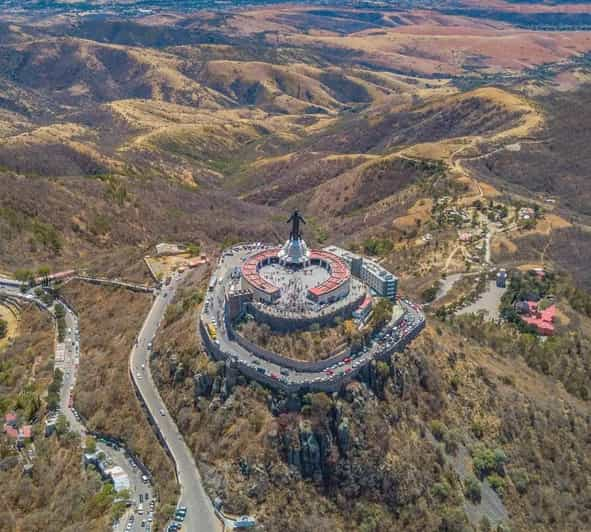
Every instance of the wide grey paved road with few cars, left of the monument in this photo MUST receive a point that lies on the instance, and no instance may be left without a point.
(200, 515)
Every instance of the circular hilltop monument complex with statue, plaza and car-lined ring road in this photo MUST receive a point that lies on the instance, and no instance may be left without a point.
(293, 287)
